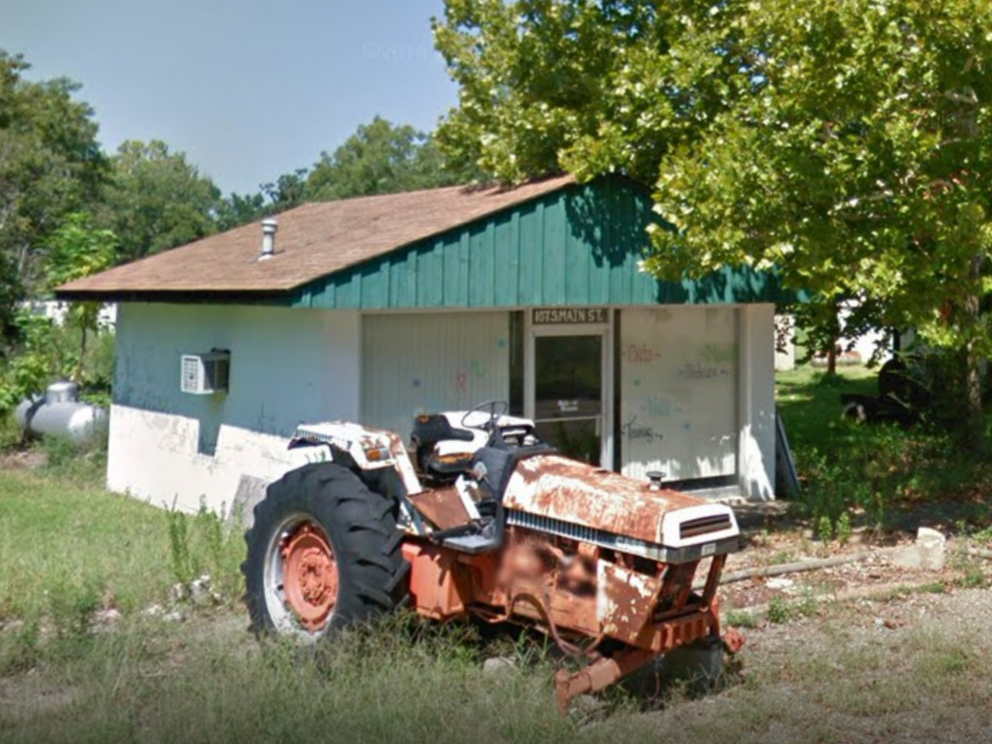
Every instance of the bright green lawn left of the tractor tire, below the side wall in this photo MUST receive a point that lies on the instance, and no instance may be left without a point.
(69, 549)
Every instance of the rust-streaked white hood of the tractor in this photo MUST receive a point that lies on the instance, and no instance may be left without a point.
(562, 494)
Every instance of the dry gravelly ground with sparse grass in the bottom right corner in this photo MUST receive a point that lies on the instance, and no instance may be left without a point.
(912, 669)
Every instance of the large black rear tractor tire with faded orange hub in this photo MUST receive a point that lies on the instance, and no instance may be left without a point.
(324, 553)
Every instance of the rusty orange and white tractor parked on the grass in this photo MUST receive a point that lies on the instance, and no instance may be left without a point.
(480, 518)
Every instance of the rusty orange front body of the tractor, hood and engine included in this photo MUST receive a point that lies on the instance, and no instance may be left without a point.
(587, 554)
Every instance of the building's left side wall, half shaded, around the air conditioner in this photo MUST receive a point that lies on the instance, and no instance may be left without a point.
(287, 366)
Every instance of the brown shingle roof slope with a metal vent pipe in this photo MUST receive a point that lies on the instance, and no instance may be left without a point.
(314, 240)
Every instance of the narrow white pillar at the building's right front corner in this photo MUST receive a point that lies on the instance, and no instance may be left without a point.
(756, 449)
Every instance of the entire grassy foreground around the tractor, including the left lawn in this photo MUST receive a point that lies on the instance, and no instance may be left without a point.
(67, 549)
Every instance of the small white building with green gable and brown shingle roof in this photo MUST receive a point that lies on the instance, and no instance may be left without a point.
(374, 309)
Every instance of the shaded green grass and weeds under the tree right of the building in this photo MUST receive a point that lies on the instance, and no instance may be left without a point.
(877, 476)
